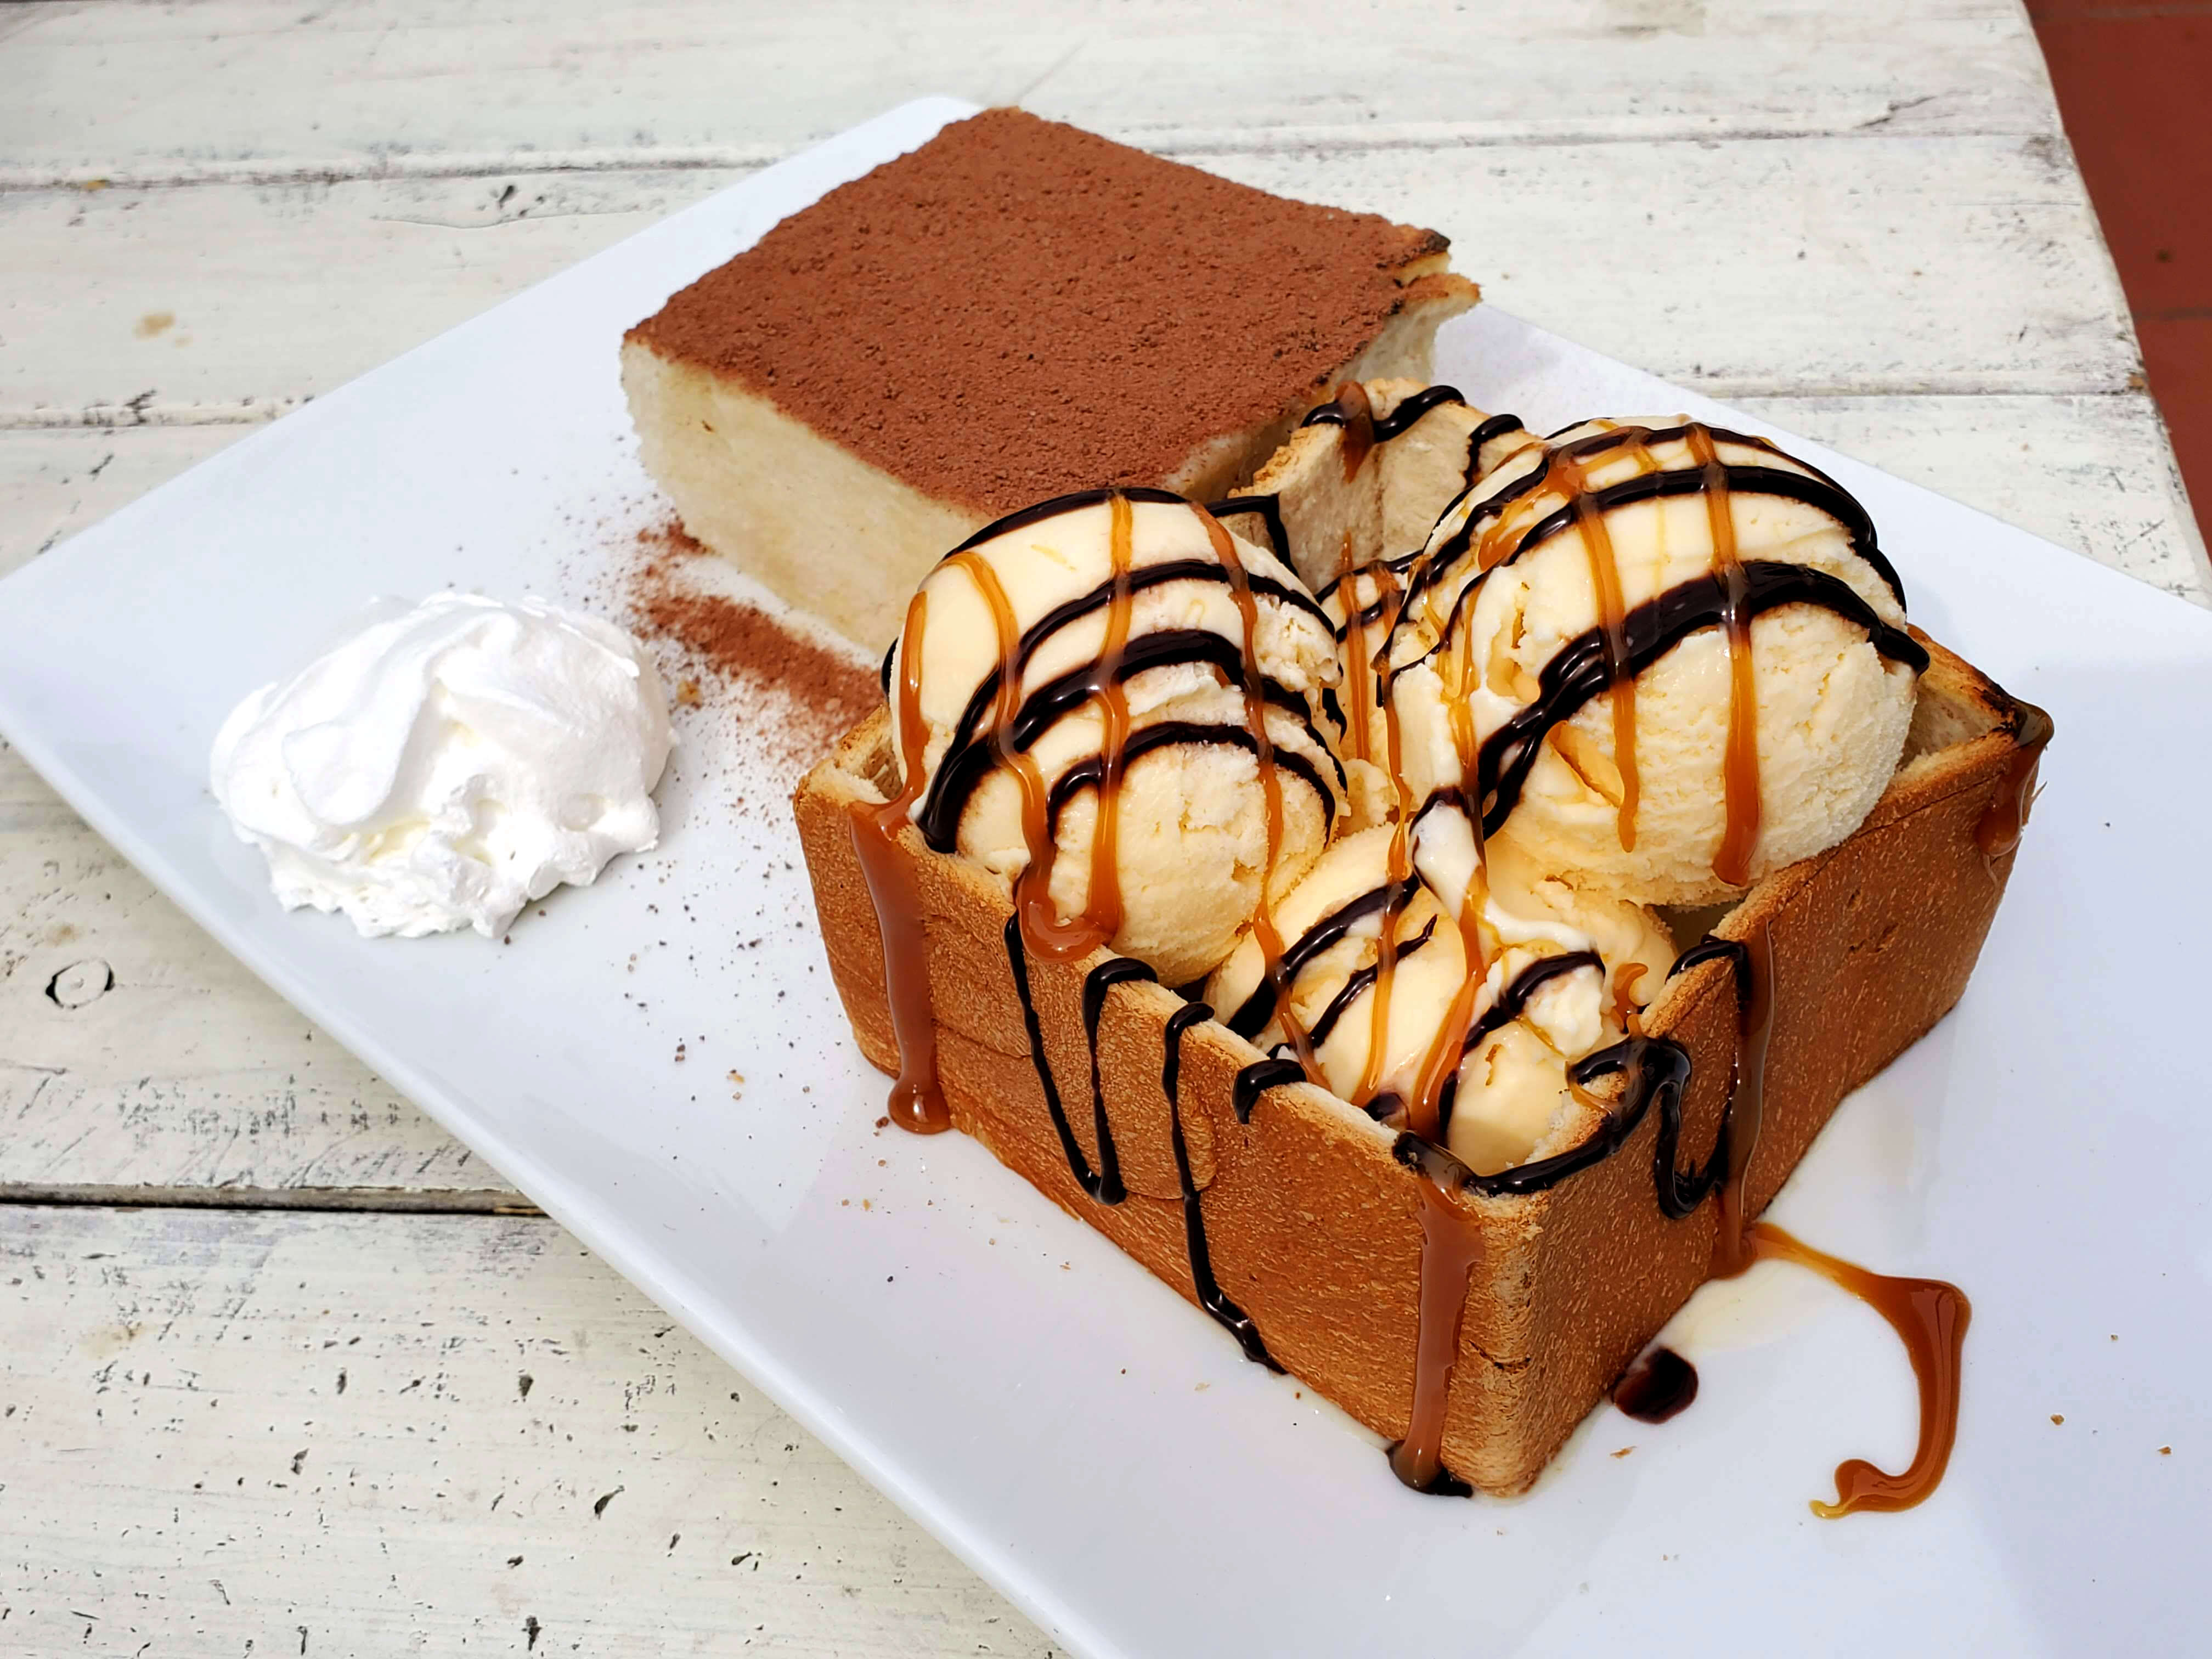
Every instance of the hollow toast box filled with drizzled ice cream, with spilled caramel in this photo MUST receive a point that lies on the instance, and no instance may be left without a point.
(1443, 1010)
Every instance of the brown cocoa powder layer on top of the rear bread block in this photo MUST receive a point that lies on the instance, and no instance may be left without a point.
(1021, 309)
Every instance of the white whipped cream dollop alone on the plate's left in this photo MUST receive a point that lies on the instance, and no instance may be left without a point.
(448, 766)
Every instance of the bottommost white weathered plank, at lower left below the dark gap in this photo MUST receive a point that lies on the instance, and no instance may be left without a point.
(236, 1432)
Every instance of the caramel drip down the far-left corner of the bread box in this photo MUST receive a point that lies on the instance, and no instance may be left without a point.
(917, 1098)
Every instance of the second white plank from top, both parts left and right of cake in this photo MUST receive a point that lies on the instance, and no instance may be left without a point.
(1746, 269)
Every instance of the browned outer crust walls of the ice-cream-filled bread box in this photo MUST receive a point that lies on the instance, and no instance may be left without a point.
(1315, 1227)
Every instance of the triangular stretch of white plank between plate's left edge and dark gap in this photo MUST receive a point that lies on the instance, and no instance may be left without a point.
(138, 1054)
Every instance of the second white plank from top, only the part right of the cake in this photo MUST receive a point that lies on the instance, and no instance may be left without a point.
(1773, 269)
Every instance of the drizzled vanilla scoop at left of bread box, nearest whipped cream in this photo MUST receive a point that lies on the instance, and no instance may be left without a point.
(1125, 720)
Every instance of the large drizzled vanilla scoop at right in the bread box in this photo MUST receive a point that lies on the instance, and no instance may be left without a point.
(1667, 660)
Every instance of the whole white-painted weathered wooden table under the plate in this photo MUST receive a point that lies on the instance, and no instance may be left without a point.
(284, 1368)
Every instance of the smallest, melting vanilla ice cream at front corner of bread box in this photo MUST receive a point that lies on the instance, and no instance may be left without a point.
(1558, 979)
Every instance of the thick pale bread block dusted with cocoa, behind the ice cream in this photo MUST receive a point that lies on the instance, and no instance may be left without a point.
(1012, 311)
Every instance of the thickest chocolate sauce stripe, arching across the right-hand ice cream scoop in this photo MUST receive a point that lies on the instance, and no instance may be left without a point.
(1578, 671)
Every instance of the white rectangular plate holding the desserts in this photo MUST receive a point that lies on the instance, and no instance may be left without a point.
(1081, 1434)
